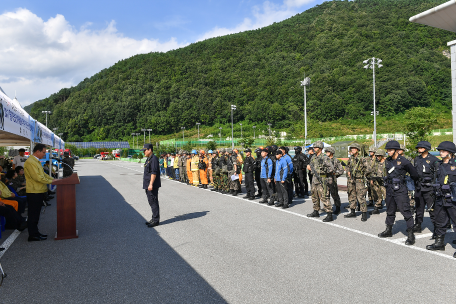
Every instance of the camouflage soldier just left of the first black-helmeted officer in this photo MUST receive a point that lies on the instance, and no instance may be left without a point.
(376, 175)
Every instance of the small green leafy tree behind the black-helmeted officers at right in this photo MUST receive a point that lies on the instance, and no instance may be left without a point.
(418, 125)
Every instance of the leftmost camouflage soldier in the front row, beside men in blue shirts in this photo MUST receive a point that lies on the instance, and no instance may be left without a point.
(321, 166)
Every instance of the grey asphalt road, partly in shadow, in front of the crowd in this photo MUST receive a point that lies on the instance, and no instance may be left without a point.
(214, 248)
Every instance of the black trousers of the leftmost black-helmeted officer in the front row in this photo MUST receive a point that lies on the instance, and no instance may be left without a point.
(398, 200)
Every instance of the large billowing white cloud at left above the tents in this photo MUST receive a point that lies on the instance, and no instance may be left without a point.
(40, 57)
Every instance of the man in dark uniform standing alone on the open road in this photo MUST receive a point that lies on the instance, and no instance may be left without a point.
(151, 183)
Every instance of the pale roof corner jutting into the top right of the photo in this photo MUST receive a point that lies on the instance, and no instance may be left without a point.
(442, 16)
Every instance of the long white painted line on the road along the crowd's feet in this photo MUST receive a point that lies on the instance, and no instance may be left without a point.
(396, 241)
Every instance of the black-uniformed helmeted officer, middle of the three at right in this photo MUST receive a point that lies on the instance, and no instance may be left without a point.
(425, 165)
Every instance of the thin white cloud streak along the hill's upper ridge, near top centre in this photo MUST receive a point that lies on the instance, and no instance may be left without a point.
(263, 15)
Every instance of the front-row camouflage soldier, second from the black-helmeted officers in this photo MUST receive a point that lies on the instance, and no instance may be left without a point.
(357, 168)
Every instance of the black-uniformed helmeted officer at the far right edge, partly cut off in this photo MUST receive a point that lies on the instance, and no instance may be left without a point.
(445, 192)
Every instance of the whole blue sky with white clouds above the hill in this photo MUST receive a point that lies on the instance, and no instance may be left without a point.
(48, 45)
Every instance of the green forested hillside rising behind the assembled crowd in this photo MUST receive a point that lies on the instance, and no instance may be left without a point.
(260, 71)
